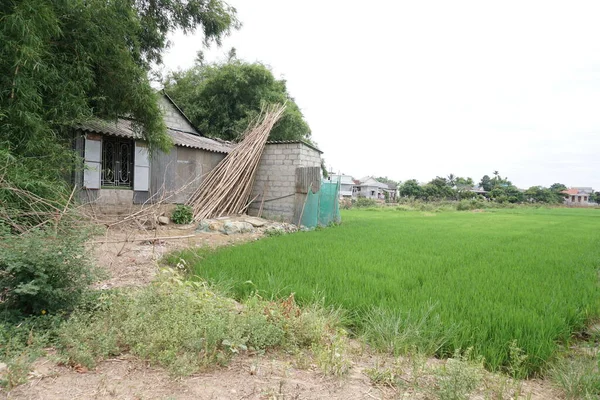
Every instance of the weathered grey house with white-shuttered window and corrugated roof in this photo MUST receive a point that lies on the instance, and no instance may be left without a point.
(120, 171)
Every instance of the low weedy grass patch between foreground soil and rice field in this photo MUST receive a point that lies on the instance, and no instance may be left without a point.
(187, 326)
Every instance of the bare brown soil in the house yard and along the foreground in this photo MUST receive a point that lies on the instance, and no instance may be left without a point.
(131, 259)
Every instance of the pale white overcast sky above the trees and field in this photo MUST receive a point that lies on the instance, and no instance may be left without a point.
(417, 89)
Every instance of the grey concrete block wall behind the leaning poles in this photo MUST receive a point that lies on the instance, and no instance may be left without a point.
(275, 181)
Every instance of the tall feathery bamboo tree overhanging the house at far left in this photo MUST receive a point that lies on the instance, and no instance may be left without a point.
(63, 62)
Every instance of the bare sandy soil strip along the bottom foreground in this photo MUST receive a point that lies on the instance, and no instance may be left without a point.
(274, 376)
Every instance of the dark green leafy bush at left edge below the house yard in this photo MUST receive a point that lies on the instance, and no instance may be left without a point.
(42, 272)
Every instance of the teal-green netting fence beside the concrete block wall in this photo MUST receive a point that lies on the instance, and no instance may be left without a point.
(323, 207)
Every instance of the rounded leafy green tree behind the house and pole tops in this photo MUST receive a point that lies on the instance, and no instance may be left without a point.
(223, 98)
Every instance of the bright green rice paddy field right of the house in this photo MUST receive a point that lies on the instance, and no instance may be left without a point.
(513, 284)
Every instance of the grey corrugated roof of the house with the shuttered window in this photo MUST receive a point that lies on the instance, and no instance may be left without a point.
(124, 128)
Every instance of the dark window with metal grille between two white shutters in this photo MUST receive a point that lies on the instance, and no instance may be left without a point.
(117, 162)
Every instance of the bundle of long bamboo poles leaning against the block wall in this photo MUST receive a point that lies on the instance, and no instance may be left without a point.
(227, 188)
